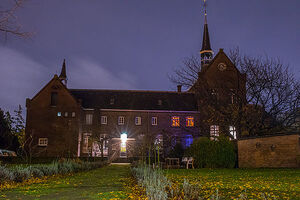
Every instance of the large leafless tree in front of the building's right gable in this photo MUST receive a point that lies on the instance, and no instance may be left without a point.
(272, 94)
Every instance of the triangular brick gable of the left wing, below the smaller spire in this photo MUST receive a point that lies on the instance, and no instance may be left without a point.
(43, 98)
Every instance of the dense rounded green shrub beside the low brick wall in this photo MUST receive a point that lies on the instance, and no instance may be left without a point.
(213, 153)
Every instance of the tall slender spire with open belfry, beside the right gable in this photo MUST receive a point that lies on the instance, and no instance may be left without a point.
(206, 52)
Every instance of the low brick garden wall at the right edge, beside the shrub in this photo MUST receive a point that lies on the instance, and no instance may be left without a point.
(269, 151)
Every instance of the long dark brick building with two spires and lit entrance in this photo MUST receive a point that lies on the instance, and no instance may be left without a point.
(119, 123)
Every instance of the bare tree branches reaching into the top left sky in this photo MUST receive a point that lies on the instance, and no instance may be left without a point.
(8, 20)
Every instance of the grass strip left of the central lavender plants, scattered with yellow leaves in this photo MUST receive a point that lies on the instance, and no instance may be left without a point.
(103, 183)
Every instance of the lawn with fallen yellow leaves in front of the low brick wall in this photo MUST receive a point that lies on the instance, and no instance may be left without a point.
(230, 183)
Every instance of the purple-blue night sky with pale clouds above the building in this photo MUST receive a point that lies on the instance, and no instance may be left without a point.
(135, 44)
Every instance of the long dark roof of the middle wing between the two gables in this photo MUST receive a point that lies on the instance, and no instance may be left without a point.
(135, 99)
